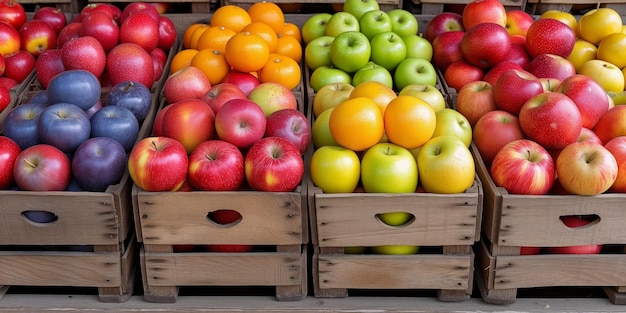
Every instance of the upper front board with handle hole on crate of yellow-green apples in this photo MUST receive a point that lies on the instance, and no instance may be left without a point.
(350, 219)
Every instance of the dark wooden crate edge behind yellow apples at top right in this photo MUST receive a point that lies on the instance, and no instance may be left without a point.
(576, 7)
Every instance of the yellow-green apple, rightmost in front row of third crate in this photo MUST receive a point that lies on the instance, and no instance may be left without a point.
(445, 165)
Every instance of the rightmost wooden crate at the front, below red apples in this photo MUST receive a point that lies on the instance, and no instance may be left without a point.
(511, 221)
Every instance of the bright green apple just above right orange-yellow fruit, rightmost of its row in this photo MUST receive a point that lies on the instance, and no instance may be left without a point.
(414, 71)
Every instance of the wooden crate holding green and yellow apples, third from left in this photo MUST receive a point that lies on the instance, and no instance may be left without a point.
(446, 224)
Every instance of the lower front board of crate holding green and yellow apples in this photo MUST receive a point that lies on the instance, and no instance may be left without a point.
(451, 272)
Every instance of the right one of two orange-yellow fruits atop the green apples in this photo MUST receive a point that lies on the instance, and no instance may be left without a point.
(409, 121)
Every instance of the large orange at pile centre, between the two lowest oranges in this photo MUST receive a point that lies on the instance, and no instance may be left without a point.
(247, 52)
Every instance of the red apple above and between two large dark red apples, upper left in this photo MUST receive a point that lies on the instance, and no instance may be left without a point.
(103, 27)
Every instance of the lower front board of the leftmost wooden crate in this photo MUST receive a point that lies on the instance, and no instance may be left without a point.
(77, 269)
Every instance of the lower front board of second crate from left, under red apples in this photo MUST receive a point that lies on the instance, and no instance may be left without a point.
(228, 269)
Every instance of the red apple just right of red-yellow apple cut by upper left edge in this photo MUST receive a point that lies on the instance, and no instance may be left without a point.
(37, 36)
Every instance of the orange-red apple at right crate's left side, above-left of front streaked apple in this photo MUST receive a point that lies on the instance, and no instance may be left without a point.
(494, 130)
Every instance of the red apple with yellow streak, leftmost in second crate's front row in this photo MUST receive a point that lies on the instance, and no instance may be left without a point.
(158, 164)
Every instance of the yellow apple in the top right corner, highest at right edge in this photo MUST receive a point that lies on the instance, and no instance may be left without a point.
(596, 24)
